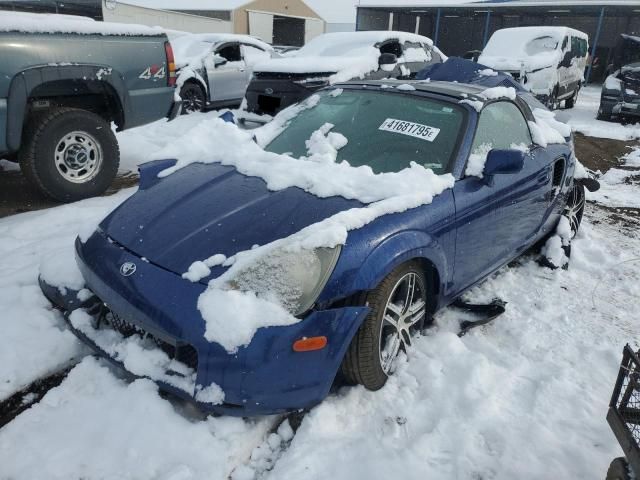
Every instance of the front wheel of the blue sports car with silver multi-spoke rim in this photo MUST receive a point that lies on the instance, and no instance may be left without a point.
(398, 309)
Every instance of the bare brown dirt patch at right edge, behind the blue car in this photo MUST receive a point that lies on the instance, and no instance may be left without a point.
(602, 153)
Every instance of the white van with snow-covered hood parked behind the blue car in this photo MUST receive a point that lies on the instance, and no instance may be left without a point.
(548, 61)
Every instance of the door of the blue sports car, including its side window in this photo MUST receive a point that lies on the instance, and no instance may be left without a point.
(498, 217)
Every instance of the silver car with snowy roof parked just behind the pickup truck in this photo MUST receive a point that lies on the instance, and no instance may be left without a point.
(214, 69)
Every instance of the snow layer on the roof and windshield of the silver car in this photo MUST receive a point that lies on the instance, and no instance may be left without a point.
(191, 46)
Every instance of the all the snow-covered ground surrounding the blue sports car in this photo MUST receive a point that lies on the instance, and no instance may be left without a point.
(524, 397)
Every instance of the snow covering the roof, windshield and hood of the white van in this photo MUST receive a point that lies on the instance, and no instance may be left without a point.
(535, 47)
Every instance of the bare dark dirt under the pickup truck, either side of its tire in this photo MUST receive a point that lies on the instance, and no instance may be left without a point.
(18, 196)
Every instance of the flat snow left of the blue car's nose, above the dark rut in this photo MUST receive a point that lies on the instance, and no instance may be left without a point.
(36, 340)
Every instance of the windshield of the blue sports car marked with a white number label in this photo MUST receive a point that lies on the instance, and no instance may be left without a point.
(385, 131)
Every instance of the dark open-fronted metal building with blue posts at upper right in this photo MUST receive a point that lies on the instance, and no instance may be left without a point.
(463, 27)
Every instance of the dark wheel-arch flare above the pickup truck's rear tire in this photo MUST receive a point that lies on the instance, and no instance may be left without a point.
(24, 82)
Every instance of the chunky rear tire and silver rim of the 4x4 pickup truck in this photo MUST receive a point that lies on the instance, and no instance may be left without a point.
(69, 154)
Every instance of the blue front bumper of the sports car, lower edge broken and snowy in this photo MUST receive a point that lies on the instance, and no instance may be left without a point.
(265, 377)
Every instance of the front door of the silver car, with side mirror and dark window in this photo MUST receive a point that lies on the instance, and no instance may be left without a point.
(227, 81)
